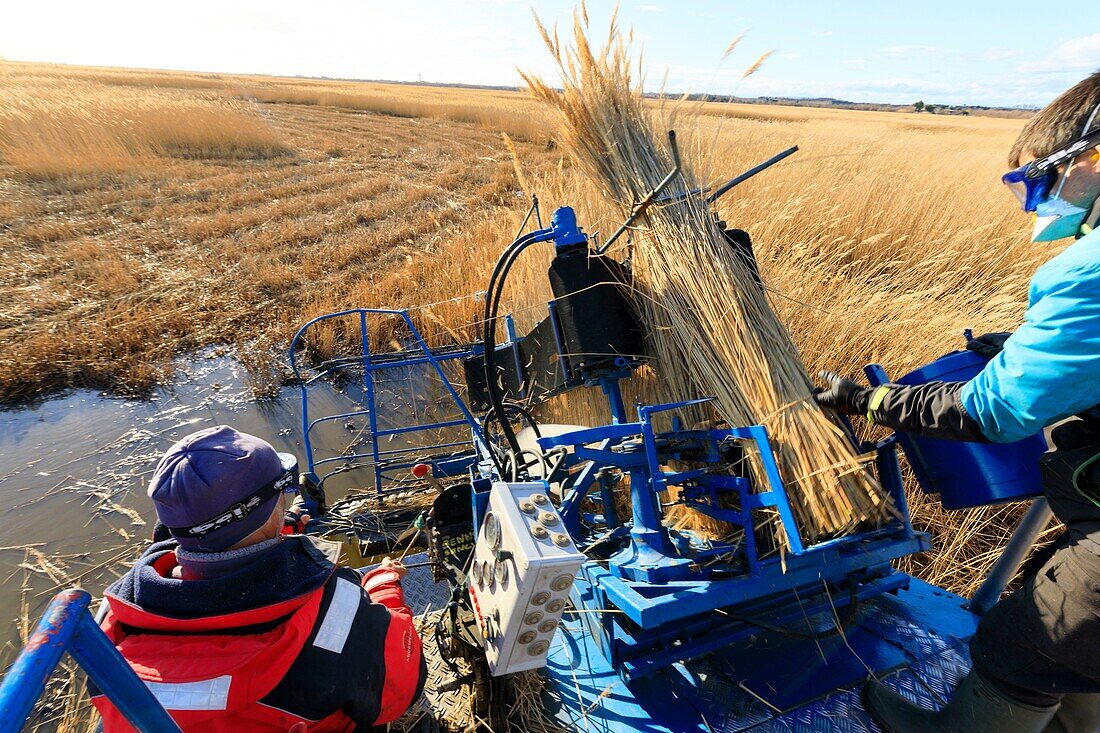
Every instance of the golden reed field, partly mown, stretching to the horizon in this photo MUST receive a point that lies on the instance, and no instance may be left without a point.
(146, 214)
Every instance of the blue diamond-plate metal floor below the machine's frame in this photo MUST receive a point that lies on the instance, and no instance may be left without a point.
(917, 641)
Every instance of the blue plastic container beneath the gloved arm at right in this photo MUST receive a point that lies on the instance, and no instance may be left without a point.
(967, 475)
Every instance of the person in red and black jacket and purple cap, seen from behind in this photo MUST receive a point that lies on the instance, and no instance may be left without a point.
(236, 626)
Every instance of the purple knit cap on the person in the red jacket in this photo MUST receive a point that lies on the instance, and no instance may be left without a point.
(206, 475)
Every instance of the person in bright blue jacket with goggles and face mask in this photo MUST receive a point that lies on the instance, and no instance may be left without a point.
(1037, 654)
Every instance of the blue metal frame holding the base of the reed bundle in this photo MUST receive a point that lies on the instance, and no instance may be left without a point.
(668, 592)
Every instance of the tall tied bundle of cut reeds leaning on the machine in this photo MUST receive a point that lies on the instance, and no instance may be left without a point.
(711, 329)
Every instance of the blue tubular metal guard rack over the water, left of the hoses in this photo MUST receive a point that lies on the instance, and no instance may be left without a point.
(382, 462)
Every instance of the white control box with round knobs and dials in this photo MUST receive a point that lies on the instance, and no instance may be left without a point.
(522, 574)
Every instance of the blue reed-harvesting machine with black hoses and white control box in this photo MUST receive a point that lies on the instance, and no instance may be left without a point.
(557, 549)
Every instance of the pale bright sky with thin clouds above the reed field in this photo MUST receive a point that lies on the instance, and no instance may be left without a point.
(976, 52)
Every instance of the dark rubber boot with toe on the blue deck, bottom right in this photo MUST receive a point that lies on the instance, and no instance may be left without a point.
(976, 708)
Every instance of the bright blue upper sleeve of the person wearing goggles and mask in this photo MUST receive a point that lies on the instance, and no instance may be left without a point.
(1050, 368)
